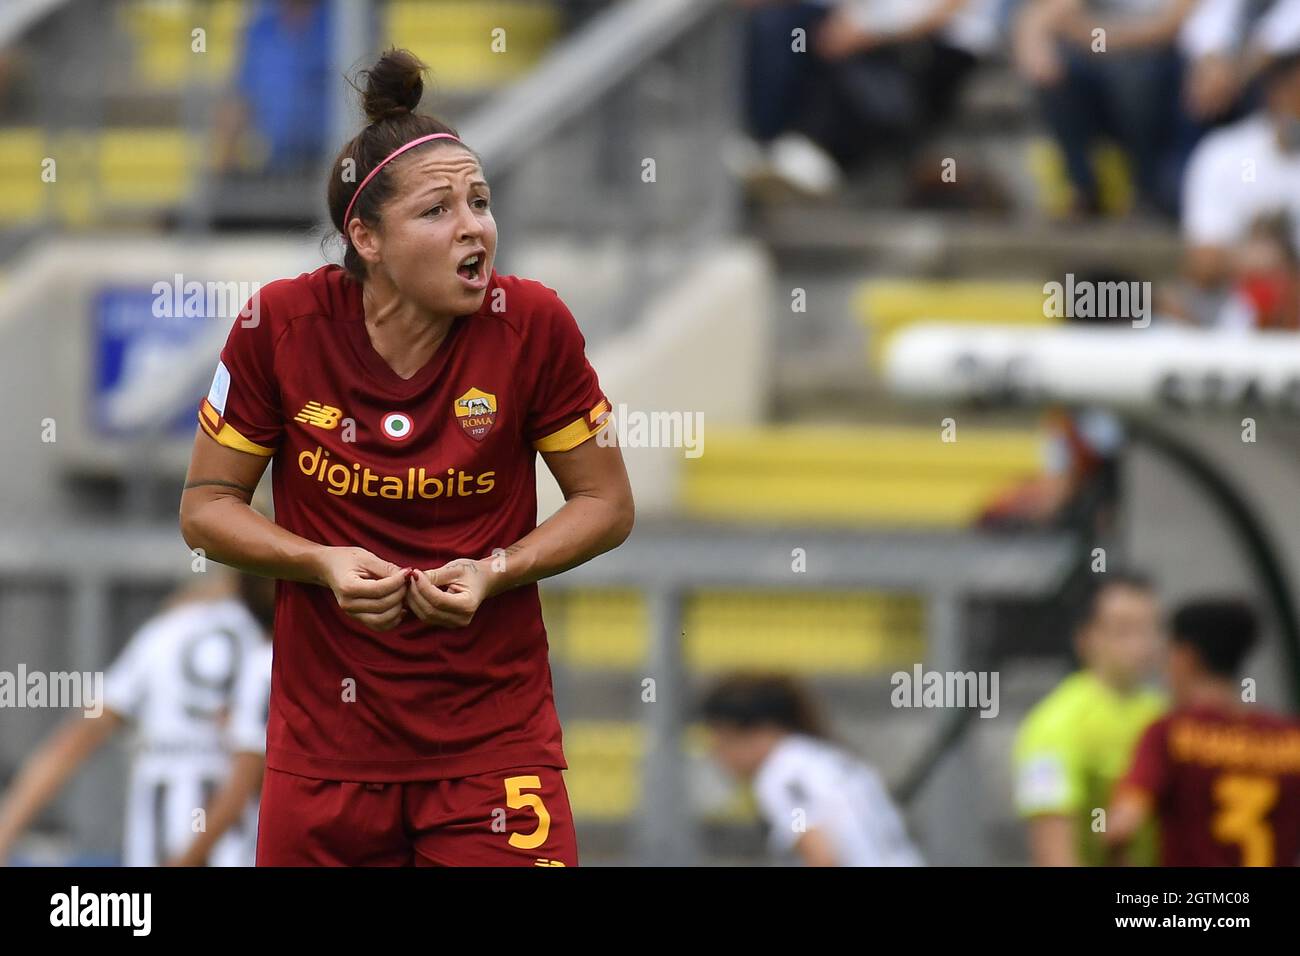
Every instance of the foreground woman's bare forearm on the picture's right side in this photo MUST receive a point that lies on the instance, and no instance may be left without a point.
(586, 527)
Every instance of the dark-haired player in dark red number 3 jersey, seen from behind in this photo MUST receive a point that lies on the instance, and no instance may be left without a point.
(1221, 776)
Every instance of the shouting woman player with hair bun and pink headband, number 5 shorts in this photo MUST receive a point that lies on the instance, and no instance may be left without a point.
(404, 399)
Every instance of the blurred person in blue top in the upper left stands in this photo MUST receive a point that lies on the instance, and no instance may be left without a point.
(281, 90)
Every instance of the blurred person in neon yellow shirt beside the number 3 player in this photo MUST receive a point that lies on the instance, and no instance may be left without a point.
(1077, 742)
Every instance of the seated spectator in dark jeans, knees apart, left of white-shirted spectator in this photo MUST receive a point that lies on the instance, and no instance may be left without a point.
(1108, 68)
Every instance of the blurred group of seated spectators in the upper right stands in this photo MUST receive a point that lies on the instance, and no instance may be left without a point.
(1202, 98)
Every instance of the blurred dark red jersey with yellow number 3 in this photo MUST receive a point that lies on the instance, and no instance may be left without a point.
(1225, 788)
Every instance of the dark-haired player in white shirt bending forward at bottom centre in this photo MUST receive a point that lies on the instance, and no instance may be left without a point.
(822, 804)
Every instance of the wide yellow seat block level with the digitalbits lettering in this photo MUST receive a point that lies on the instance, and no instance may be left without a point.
(881, 477)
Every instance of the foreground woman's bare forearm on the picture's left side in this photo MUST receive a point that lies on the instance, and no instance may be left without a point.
(232, 533)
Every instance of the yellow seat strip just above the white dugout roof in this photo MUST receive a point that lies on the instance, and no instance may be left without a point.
(890, 306)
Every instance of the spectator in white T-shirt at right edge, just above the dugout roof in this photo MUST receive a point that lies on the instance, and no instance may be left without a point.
(1238, 175)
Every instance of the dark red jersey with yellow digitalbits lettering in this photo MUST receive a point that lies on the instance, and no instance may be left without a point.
(421, 473)
